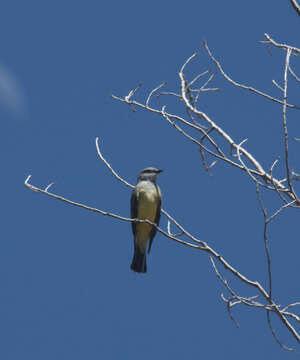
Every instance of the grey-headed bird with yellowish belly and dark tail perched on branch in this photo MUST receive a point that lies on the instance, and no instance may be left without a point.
(145, 204)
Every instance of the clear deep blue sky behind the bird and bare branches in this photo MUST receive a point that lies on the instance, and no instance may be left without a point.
(66, 289)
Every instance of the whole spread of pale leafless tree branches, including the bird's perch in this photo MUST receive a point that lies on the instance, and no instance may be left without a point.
(206, 137)
